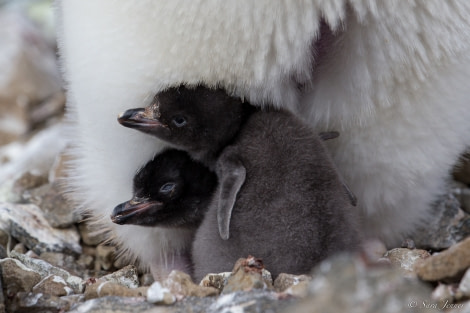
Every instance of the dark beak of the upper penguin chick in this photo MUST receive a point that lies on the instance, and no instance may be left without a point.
(143, 120)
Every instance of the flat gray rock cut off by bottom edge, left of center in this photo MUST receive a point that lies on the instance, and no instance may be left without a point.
(113, 304)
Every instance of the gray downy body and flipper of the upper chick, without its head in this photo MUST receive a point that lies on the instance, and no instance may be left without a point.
(289, 208)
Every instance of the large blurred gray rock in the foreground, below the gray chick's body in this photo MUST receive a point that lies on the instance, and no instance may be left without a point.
(346, 284)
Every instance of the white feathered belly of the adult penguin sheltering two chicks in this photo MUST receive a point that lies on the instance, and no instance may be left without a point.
(392, 79)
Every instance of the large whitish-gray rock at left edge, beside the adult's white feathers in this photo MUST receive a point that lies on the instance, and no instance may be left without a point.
(27, 224)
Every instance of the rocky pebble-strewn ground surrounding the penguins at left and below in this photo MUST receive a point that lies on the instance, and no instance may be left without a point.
(50, 262)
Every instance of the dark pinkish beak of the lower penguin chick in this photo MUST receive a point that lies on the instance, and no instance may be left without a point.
(136, 212)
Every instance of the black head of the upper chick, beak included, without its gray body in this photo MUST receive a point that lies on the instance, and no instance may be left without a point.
(198, 120)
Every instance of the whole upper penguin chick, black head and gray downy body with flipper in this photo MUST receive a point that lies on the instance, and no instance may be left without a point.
(279, 196)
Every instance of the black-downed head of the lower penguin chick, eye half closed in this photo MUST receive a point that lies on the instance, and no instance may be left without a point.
(171, 190)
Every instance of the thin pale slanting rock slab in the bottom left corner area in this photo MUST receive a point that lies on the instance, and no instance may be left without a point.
(45, 269)
